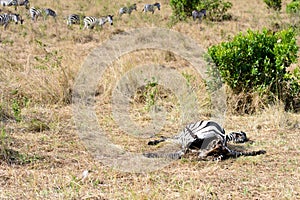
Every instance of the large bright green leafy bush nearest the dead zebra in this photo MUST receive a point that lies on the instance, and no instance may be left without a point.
(258, 62)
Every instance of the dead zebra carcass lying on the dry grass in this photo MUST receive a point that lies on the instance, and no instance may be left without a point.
(207, 138)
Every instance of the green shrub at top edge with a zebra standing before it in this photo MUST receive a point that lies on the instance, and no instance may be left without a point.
(216, 9)
